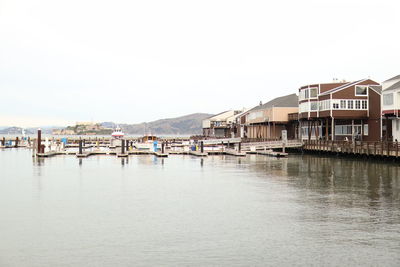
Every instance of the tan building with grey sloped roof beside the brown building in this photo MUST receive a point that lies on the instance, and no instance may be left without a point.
(266, 121)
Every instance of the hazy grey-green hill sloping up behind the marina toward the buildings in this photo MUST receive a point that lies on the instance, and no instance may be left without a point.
(189, 124)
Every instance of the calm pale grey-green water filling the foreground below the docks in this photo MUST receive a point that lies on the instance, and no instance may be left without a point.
(185, 211)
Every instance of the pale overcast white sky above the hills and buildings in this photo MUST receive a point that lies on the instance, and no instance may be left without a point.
(135, 61)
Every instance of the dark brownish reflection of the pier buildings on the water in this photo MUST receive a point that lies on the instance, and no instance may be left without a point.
(332, 175)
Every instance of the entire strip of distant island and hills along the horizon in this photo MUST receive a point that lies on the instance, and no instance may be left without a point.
(184, 125)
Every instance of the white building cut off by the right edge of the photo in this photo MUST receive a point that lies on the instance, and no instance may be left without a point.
(391, 108)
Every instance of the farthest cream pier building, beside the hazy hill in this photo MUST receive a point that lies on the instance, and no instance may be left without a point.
(220, 125)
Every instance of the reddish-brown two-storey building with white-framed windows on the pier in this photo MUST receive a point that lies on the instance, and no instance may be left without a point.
(340, 111)
